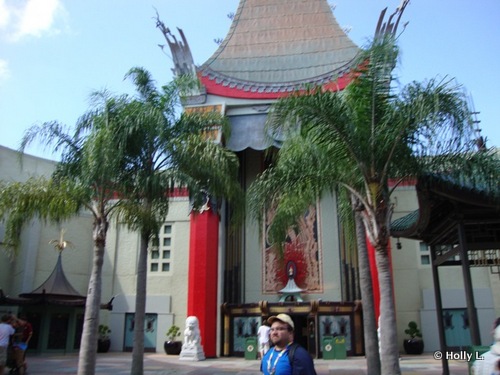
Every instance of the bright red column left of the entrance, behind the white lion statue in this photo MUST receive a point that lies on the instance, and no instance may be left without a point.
(202, 279)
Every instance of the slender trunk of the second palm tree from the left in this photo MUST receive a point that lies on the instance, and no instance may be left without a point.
(140, 308)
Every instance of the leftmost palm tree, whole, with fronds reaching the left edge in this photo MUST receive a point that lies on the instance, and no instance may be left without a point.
(87, 177)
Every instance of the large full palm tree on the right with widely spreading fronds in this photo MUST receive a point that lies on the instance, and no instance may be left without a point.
(360, 138)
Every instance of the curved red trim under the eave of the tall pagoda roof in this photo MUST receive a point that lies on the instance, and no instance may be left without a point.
(214, 88)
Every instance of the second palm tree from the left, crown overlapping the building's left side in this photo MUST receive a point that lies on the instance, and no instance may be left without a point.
(166, 151)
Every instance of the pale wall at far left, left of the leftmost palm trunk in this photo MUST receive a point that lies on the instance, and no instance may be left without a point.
(36, 258)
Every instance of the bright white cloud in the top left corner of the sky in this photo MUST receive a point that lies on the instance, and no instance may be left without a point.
(30, 18)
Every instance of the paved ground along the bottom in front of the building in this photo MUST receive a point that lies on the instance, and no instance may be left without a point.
(161, 364)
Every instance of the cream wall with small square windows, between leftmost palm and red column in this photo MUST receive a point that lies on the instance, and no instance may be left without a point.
(166, 291)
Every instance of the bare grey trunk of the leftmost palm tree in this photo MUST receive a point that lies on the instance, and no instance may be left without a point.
(88, 345)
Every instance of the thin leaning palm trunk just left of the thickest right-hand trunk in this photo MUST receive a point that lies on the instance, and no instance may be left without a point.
(366, 288)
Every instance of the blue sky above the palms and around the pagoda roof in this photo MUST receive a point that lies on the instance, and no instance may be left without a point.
(54, 53)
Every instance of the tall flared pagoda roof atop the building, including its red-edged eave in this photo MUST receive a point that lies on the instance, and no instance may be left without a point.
(275, 46)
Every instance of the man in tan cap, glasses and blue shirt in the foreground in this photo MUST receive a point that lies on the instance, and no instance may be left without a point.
(277, 361)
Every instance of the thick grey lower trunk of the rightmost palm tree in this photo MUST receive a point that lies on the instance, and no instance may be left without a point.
(388, 331)
